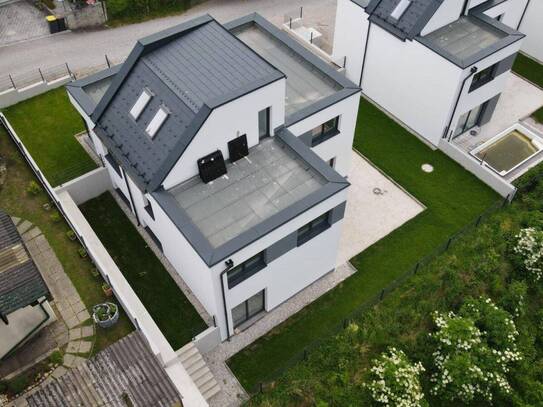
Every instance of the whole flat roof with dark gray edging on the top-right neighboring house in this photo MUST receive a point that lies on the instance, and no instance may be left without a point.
(470, 39)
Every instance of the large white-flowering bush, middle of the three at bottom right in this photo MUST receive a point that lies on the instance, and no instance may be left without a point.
(474, 351)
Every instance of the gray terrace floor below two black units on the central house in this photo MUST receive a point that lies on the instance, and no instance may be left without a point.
(256, 187)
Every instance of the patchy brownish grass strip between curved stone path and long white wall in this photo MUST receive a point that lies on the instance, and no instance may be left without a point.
(17, 202)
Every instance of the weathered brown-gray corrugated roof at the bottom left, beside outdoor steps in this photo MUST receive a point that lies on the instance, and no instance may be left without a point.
(126, 369)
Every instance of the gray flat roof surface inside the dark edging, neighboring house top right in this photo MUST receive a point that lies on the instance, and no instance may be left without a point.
(466, 37)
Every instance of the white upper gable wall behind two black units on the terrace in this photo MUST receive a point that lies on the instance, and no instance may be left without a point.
(228, 122)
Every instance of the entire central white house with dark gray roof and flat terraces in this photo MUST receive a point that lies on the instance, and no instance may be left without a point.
(231, 146)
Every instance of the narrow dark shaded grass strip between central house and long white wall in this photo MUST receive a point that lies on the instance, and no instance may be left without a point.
(172, 312)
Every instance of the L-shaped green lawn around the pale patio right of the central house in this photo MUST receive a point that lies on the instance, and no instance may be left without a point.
(453, 197)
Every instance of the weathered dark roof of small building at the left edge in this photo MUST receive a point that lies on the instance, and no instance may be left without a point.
(21, 283)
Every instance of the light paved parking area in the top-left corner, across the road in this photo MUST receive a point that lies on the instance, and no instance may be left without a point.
(20, 21)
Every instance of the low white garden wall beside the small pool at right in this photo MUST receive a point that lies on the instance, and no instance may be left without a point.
(494, 181)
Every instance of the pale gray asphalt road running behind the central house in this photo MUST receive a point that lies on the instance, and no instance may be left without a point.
(85, 50)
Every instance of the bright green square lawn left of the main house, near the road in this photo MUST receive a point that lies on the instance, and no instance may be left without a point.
(47, 124)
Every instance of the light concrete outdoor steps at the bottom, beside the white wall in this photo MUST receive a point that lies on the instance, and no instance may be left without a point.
(195, 365)
